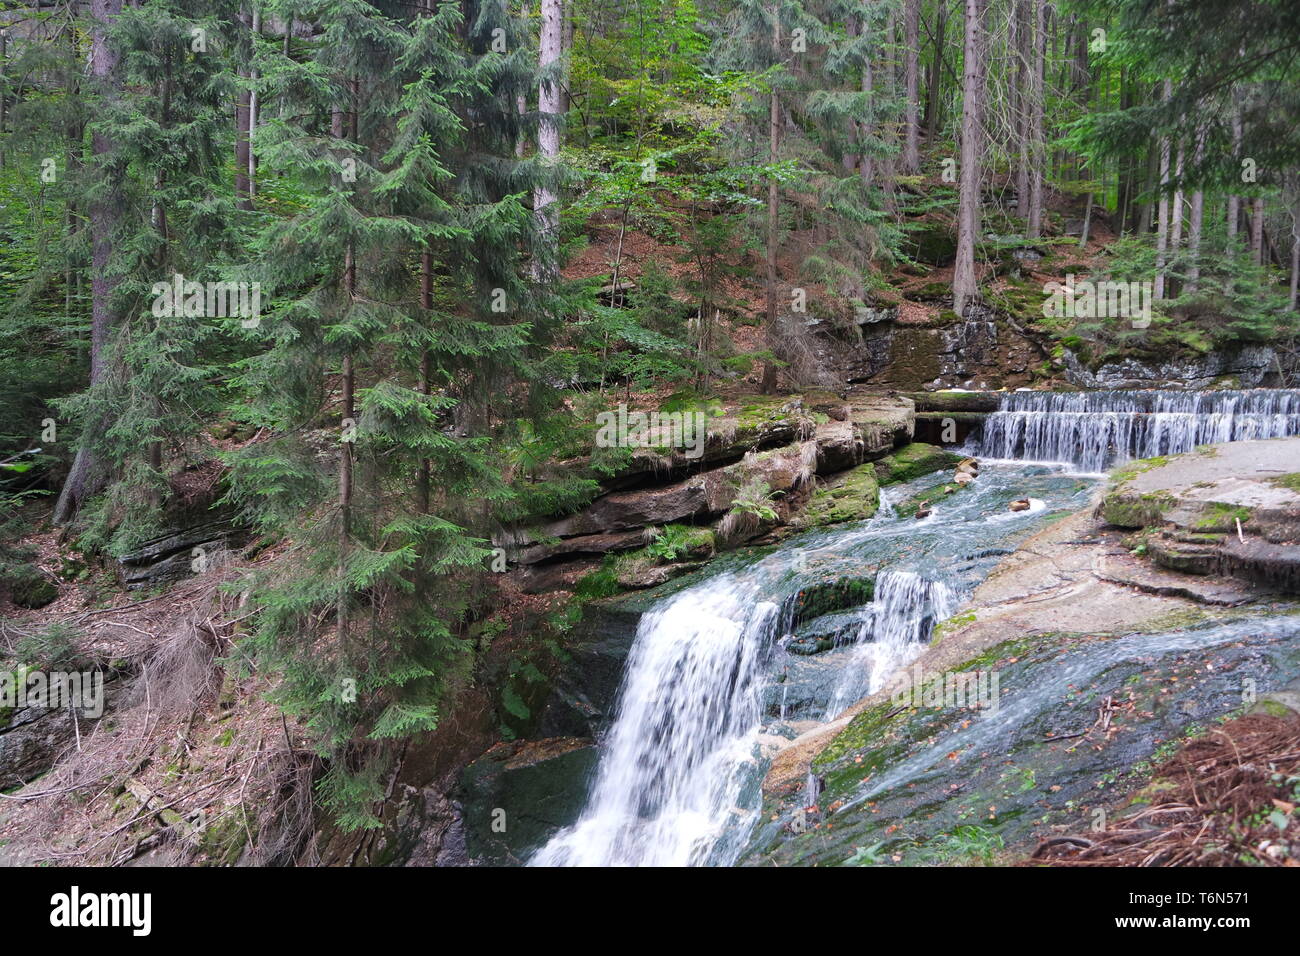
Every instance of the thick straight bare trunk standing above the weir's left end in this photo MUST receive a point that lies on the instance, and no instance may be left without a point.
(965, 285)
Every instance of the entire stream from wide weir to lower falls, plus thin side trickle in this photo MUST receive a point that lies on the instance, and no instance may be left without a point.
(712, 673)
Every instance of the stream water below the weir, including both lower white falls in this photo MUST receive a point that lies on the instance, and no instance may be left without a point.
(681, 767)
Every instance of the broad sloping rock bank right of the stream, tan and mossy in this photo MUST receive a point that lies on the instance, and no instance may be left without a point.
(1106, 661)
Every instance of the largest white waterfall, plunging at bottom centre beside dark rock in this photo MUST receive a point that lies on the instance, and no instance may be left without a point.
(684, 734)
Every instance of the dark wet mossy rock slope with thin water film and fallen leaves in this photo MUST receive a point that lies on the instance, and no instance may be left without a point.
(1078, 725)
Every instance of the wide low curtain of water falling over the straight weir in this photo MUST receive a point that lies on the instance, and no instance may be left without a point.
(1095, 430)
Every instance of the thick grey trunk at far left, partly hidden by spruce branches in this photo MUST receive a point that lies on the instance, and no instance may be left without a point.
(86, 475)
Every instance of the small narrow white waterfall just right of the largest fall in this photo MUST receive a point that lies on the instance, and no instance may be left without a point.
(907, 608)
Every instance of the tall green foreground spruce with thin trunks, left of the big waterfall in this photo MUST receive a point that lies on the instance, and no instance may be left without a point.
(402, 306)
